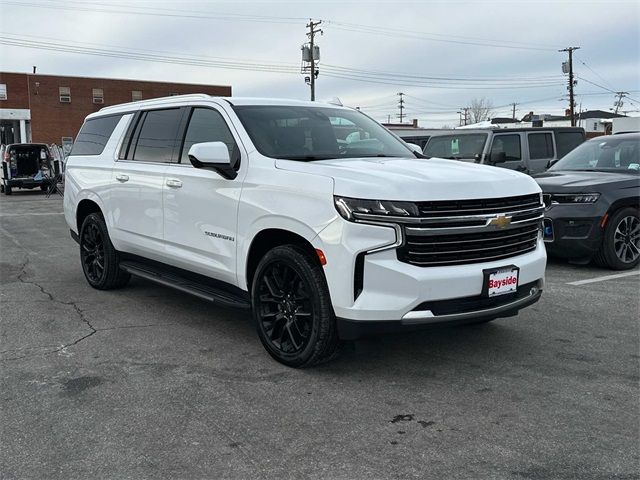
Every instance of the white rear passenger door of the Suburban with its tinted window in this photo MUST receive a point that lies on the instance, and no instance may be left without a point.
(138, 180)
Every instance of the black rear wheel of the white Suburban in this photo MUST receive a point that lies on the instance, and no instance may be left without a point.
(100, 260)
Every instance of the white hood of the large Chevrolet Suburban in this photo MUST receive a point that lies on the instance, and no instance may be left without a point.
(415, 179)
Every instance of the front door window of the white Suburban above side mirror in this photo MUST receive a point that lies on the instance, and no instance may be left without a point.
(207, 125)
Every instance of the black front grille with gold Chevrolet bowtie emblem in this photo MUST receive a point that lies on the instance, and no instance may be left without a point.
(447, 236)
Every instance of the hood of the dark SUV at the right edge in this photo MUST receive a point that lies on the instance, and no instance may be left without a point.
(581, 181)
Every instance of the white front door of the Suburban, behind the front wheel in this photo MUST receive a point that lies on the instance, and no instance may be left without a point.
(200, 206)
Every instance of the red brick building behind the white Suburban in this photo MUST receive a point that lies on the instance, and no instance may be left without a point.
(51, 108)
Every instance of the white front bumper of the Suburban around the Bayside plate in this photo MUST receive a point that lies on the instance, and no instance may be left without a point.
(396, 293)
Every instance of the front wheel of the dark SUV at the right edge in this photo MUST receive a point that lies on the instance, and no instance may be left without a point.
(620, 249)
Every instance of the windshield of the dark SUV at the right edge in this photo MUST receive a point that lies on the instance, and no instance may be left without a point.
(604, 154)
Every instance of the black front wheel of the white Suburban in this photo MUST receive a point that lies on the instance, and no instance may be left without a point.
(292, 308)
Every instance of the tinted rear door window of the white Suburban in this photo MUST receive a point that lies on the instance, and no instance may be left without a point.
(158, 133)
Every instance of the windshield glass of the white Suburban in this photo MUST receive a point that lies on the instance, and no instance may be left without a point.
(317, 133)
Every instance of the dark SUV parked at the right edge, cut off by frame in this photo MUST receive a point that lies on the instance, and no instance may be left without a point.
(593, 199)
